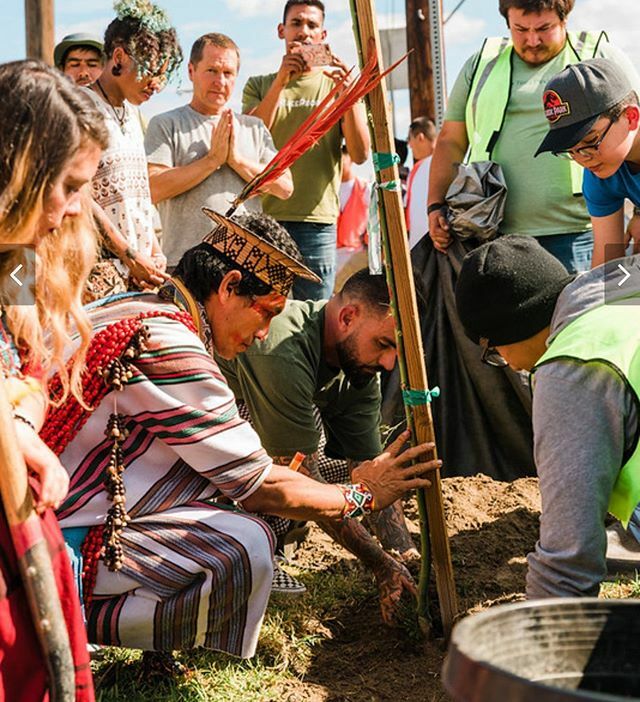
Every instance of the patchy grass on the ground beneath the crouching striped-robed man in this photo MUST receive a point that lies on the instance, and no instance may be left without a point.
(291, 629)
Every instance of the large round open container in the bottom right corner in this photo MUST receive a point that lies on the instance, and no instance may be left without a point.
(547, 651)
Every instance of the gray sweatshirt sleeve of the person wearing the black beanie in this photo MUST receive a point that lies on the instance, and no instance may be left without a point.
(584, 420)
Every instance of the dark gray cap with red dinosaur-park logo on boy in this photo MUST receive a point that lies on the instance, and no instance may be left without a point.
(574, 99)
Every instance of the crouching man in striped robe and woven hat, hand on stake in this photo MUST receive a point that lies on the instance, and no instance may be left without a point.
(164, 567)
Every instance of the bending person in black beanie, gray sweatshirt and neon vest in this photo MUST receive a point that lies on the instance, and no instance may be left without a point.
(580, 337)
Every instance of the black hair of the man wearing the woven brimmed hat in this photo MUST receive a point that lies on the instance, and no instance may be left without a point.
(202, 267)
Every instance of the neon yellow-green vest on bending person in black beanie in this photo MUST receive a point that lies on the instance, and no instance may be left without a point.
(610, 334)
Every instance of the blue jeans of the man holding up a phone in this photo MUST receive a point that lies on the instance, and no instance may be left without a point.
(317, 243)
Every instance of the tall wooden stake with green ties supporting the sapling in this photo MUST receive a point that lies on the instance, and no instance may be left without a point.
(410, 352)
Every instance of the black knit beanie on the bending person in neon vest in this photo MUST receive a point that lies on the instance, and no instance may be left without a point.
(507, 290)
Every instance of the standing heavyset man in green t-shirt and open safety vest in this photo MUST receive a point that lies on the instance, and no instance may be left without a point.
(494, 114)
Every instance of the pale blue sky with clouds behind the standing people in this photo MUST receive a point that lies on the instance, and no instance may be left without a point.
(252, 24)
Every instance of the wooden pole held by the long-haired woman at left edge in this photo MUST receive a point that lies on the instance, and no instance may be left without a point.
(34, 560)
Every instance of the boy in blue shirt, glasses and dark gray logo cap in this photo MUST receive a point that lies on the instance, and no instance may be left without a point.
(594, 116)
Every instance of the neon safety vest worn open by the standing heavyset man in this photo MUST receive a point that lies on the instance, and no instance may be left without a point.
(491, 88)
